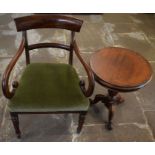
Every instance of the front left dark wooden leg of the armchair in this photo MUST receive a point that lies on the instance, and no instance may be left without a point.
(15, 121)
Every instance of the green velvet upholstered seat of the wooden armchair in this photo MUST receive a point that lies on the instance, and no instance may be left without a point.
(46, 87)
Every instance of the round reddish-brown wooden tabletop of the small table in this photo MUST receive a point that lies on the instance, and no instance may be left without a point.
(120, 68)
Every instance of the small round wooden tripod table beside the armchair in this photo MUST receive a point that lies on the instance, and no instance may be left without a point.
(119, 70)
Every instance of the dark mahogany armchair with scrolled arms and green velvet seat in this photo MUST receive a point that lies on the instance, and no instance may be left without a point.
(47, 87)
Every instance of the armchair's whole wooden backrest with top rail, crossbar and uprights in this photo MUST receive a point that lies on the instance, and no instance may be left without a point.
(48, 21)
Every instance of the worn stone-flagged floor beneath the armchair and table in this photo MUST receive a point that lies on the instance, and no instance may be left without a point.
(134, 119)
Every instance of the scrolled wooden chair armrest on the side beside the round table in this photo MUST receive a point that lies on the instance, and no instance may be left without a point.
(91, 82)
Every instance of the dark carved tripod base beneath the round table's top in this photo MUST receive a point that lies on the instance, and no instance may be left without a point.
(109, 100)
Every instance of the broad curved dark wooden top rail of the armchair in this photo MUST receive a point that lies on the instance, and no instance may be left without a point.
(48, 21)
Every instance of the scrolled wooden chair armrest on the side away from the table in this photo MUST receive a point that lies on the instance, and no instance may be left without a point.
(5, 80)
